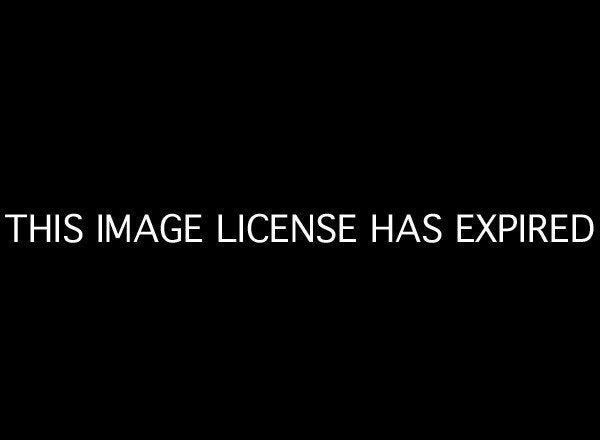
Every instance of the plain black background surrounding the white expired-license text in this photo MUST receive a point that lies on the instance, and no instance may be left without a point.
(368, 113)
